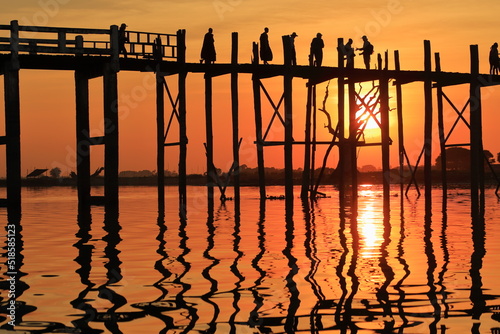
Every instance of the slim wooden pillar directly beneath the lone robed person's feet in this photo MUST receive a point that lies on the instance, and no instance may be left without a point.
(209, 143)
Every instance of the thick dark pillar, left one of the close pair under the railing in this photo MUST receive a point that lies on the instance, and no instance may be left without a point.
(82, 137)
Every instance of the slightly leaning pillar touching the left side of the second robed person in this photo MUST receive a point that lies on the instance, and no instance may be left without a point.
(258, 123)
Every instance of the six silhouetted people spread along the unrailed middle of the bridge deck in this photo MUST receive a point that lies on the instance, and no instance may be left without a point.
(208, 54)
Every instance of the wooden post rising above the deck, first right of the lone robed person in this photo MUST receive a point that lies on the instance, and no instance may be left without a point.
(235, 116)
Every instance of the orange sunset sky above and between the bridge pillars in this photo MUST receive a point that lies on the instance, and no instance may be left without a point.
(47, 98)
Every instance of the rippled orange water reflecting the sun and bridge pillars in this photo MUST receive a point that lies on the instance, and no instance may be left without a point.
(322, 270)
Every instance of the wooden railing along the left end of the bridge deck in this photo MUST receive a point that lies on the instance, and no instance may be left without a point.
(38, 40)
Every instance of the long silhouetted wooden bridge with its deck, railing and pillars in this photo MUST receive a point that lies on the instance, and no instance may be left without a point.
(94, 53)
